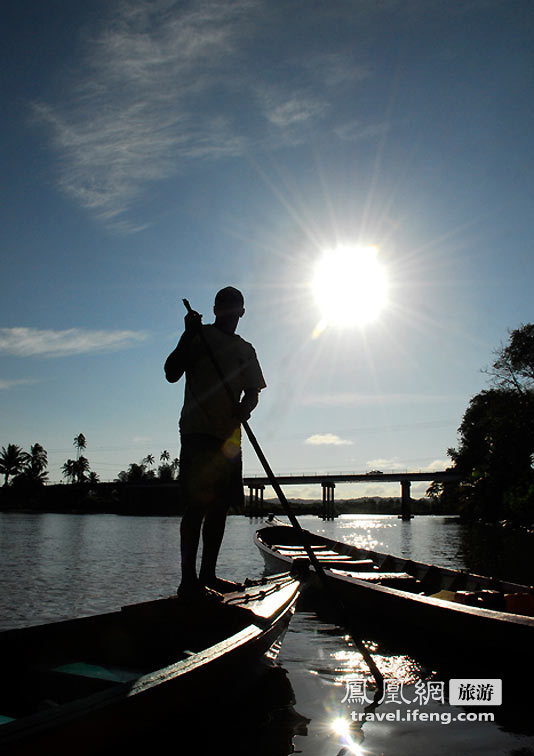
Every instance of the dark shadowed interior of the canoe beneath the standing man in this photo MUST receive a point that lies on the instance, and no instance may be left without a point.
(49, 665)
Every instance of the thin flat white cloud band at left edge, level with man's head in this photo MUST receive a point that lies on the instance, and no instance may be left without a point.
(30, 342)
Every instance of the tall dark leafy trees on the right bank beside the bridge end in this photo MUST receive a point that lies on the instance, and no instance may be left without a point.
(495, 454)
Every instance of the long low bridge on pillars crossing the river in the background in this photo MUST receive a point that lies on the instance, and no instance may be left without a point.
(257, 484)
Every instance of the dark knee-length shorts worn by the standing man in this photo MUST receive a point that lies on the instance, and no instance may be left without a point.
(209, 476)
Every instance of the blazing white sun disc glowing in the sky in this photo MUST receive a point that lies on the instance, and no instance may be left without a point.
(349, 286)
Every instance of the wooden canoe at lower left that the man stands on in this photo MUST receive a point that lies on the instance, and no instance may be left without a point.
(76, 685)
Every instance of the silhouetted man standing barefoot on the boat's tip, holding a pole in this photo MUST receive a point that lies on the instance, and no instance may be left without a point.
(217, 363)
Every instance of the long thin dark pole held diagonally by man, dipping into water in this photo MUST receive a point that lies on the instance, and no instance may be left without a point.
(379, 678)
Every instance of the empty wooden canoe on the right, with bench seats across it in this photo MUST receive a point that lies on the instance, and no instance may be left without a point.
(427, 607)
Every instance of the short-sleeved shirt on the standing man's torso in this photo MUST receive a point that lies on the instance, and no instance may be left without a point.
(207, 407)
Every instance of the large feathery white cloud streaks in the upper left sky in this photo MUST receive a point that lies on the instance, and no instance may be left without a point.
(130, 117)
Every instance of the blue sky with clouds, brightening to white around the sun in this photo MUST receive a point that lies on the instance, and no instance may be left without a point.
(160, 150)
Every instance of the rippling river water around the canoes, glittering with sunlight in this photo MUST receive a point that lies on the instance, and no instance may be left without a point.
(56, 566)
